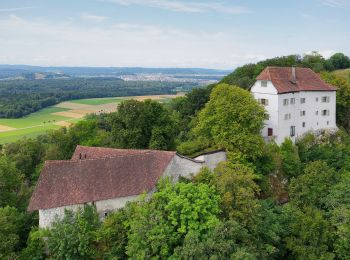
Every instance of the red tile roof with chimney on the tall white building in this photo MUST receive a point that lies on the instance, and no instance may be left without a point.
(306, 80)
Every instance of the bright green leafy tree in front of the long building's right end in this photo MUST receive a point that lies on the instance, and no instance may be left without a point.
(158, 226)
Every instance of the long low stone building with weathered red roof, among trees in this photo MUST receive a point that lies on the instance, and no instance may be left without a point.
(108, 178)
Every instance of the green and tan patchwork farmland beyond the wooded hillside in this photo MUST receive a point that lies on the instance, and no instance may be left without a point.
(63, 114)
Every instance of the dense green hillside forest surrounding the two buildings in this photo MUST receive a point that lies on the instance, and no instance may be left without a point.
(266, 202)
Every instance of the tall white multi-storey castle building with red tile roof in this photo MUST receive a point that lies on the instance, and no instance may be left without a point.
(297, 100)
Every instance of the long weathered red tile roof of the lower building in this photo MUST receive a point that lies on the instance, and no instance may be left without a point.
(110, 173)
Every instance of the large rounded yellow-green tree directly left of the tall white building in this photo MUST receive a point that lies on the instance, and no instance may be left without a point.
(232, 119)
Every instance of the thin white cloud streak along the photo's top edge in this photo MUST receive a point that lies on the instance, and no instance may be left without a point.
(187, 7)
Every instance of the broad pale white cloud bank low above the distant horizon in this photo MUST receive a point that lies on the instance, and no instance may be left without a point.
(71, 43)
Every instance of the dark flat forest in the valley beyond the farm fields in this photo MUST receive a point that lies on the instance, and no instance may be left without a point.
(21, 97)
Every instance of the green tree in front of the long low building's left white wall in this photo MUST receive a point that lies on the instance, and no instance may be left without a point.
(73, 236)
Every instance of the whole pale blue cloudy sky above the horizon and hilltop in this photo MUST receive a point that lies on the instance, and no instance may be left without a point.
(162, 33)
